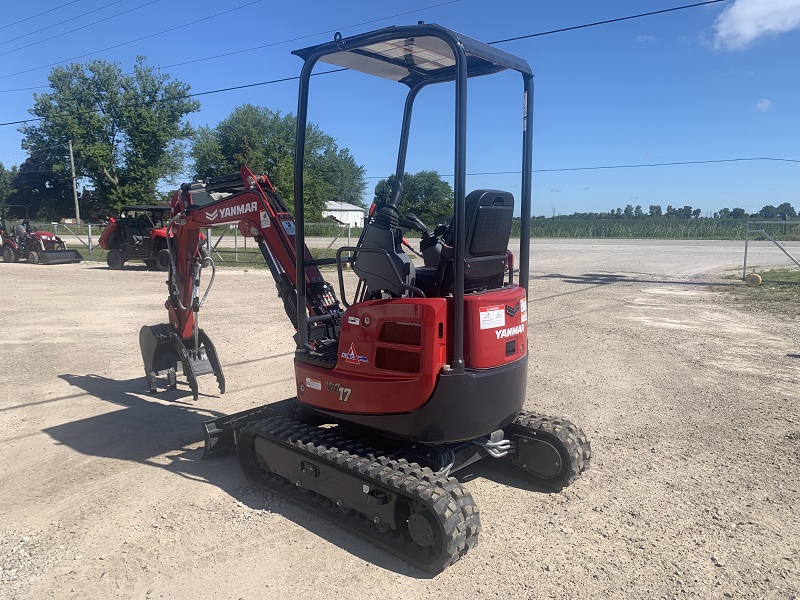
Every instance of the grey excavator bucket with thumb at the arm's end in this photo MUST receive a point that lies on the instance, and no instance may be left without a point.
(162, 351)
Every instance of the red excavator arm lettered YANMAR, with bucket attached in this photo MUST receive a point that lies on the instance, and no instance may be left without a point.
(252, 203)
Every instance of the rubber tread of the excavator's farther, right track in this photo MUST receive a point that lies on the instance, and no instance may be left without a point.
(572, 439)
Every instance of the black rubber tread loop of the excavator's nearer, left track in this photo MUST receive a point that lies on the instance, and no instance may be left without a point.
(445, 497)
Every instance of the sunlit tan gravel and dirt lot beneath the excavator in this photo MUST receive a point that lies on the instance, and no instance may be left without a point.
(691, 405)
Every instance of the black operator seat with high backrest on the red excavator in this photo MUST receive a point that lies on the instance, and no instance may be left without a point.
(489, 216)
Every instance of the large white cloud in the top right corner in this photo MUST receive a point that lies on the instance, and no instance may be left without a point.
(747, 20)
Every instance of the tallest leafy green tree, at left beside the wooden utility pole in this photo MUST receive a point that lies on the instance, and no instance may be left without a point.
(127, 129)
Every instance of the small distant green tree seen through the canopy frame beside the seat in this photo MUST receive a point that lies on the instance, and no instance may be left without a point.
(425, 194)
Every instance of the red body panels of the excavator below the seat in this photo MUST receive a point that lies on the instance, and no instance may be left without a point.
(392, 351)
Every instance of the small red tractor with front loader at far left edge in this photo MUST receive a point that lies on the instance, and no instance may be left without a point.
(37, 247)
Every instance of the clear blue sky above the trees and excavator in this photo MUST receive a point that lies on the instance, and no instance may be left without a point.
(714, 82)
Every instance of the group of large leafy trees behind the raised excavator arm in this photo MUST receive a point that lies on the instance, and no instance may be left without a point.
(130, 138)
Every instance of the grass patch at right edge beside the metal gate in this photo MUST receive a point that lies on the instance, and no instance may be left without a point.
(779, 293)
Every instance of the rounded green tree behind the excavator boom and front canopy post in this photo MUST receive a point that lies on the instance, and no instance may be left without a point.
(263, 140)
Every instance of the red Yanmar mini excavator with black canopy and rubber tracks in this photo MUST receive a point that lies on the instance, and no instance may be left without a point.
(423, 370)
